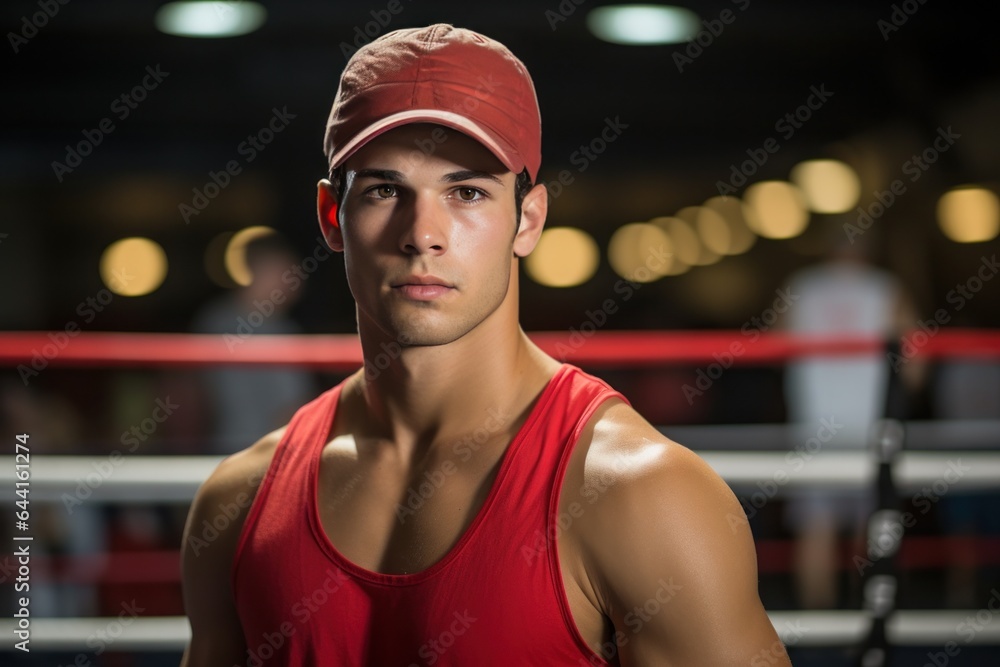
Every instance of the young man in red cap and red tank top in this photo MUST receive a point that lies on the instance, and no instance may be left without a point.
(463, 499)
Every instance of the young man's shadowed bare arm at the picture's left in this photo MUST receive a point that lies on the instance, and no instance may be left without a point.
(207, 556)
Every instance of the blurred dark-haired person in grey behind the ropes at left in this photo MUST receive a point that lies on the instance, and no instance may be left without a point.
(249, 402)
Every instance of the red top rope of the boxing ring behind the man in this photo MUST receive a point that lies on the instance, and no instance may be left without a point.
(342, 352)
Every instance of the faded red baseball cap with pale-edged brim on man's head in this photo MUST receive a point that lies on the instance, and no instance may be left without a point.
(444, 75)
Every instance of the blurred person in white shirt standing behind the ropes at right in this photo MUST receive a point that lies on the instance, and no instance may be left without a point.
(843, 295)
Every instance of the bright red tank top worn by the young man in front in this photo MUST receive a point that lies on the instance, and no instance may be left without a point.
(496, 598)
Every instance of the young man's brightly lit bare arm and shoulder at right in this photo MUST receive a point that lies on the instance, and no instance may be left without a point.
(674, 555)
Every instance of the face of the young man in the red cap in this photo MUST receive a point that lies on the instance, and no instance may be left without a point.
(428, 238)
